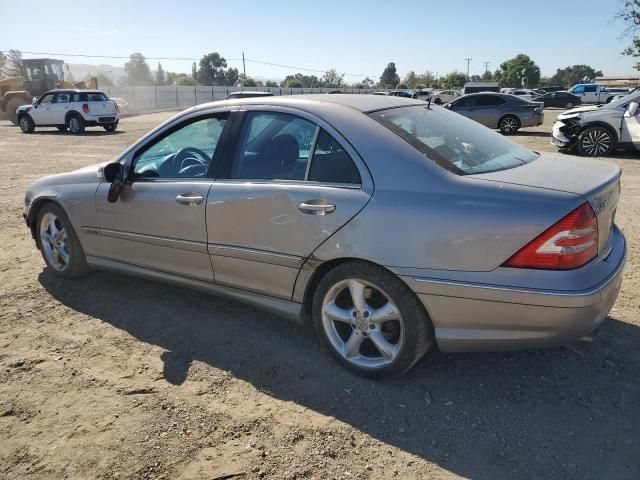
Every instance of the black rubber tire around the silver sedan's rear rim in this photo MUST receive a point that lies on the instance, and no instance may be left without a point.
(414, 323)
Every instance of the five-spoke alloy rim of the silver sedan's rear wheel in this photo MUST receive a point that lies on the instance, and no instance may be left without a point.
(362, 323)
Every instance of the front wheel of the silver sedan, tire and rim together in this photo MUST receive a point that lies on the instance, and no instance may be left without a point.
(58, 243)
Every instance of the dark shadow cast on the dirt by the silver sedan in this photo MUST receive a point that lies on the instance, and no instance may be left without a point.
(558, 413)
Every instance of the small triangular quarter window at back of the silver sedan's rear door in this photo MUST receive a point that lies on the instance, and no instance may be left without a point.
(331, 164)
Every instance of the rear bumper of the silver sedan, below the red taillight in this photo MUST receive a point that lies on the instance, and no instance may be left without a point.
(477, 317)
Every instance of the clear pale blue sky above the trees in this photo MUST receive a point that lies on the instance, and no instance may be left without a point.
(355, 37)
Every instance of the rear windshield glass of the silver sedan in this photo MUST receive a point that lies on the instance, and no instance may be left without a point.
(454, 142)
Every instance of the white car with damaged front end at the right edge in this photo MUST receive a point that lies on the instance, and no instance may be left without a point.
(598, 131)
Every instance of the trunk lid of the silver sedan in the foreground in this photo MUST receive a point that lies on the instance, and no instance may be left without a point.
(598, 182)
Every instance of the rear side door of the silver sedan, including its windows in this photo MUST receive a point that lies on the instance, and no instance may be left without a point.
(291, 183)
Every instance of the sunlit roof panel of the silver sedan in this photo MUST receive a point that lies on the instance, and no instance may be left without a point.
(361, 102)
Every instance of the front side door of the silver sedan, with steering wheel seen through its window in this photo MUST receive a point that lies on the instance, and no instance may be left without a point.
(159, 220)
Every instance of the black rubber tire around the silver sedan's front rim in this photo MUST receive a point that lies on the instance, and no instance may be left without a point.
(77, 264)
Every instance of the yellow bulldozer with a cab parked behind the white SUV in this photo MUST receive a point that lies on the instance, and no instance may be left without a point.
(38, 76)
